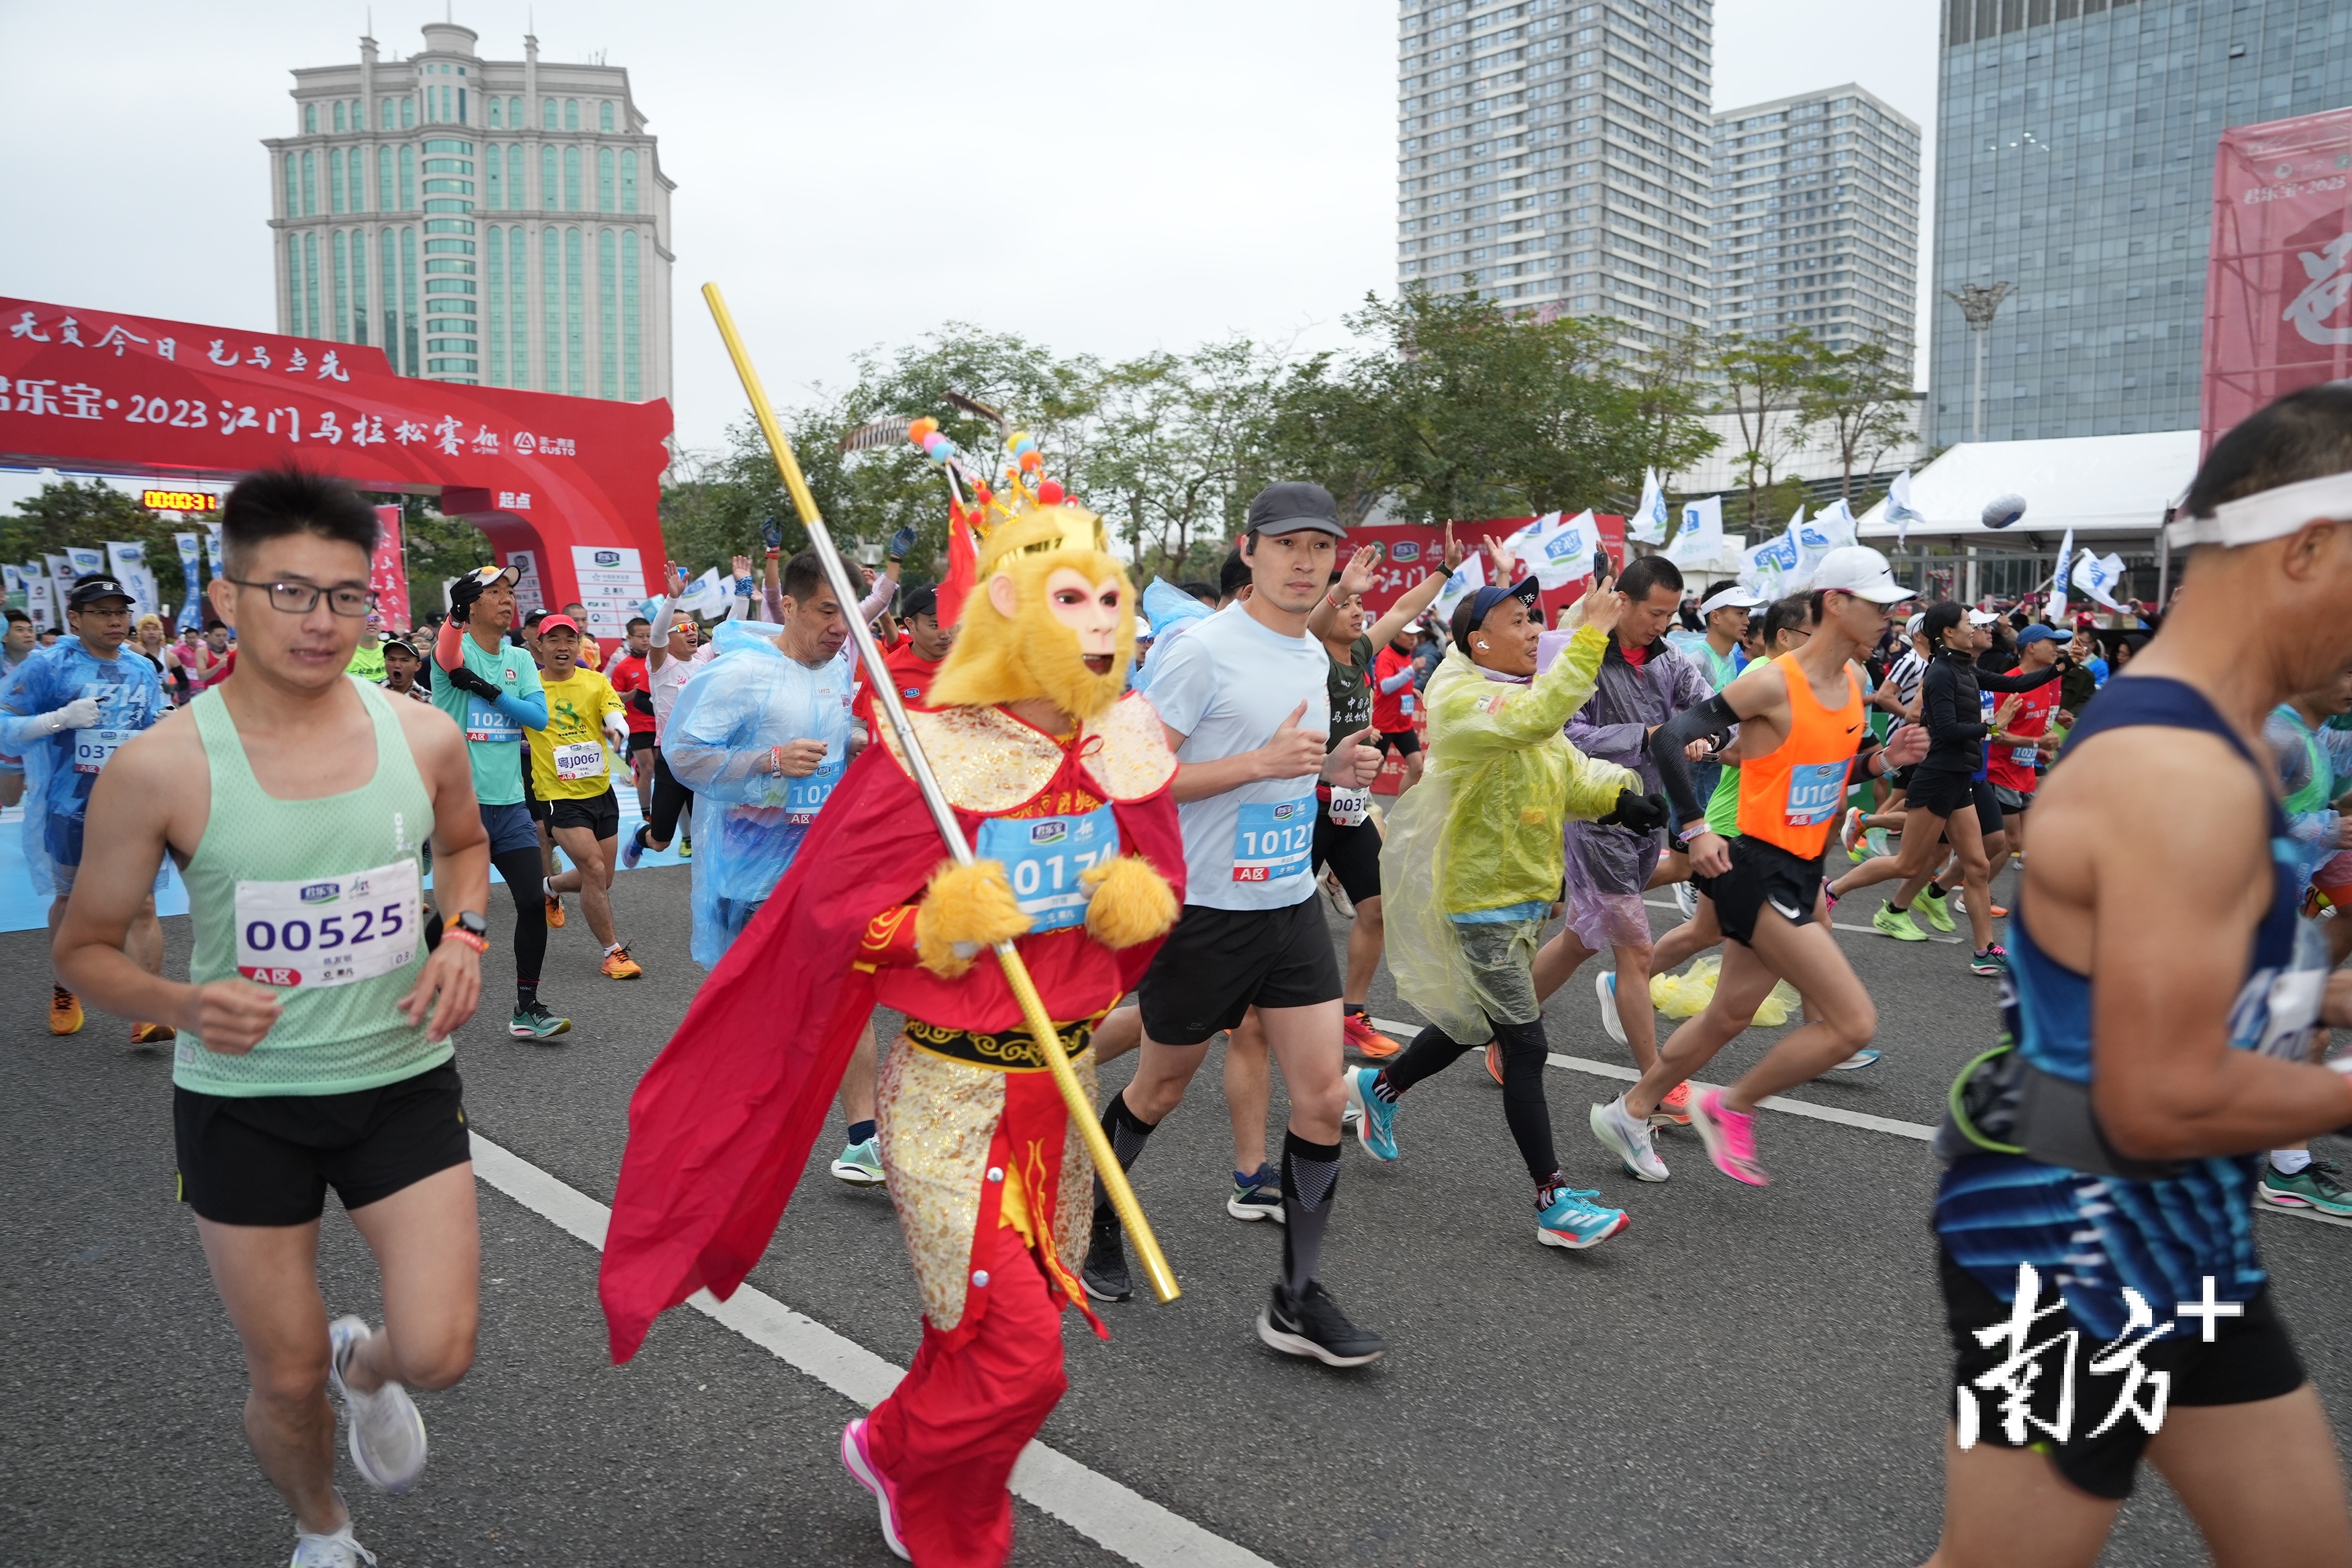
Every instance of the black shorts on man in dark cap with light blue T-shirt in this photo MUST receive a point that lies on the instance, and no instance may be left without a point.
(1217, 965)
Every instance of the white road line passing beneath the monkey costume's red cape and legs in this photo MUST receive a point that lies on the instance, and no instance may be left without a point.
(1090, 1503)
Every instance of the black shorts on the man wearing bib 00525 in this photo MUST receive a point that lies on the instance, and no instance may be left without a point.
(269, 1160)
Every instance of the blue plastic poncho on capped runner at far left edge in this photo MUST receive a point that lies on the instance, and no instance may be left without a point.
(60, 770)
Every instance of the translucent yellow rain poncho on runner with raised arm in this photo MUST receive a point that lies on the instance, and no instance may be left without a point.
(1483, 826)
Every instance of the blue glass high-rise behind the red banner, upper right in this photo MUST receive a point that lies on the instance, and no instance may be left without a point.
(2076, 166)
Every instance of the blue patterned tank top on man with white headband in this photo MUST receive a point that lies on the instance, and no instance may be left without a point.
(2097, 1235)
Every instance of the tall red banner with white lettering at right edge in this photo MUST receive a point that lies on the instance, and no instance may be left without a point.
(2280, 264)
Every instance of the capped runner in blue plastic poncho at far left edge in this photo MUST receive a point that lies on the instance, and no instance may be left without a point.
(67, 713)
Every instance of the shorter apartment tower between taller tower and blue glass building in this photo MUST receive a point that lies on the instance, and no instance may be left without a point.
(1817, 220)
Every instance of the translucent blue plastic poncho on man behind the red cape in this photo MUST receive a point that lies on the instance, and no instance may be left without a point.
(749, 819)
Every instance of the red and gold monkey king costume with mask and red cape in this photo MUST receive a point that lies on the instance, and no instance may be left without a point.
(1081, 862)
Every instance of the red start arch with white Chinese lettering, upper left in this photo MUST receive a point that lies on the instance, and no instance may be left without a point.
(566, 488)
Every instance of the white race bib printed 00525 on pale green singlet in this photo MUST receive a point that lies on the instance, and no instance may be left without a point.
(328, 930)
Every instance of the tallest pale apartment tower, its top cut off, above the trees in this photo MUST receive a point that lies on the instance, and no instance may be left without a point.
(1553, 154)
